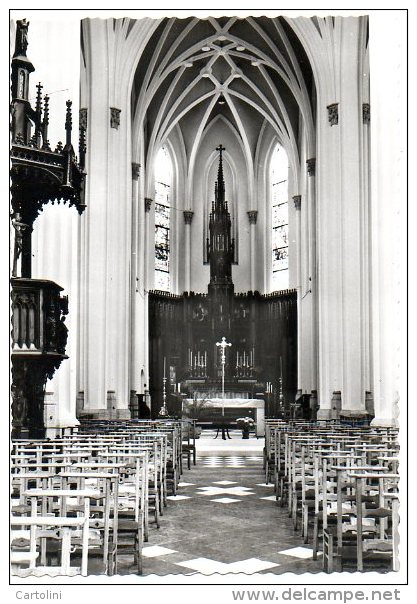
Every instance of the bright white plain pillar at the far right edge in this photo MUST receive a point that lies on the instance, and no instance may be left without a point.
(388, 216)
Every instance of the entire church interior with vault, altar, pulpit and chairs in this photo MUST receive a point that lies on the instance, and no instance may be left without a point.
(205, 269)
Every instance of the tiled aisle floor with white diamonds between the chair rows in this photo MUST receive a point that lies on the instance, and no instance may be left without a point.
(224, 519)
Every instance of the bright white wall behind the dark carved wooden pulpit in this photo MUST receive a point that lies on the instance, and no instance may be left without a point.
(55, 235)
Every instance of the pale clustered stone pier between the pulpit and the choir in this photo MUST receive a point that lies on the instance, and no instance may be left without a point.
(105, 252)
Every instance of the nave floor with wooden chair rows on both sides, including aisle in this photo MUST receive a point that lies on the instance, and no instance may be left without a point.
(131, 500)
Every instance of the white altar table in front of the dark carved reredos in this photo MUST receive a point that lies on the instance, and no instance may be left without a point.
(229, 404)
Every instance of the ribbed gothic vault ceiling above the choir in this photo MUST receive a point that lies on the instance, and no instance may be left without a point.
(253, 72)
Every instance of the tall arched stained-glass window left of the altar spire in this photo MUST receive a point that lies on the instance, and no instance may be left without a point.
(163, 181)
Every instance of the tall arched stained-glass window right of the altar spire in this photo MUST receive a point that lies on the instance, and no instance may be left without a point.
(279, 197)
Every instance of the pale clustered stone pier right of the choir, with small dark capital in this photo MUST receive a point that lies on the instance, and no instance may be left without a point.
(340, 244)
